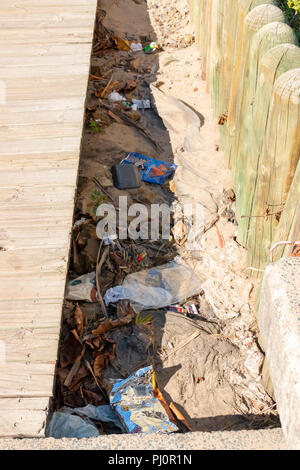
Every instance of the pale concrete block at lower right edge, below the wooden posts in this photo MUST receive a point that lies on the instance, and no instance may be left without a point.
(279, 323)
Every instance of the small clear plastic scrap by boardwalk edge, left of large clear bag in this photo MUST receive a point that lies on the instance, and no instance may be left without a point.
(83, 288)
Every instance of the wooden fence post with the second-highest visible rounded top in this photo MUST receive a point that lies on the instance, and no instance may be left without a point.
(245, 170)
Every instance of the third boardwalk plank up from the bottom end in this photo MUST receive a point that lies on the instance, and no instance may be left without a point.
(30, 346)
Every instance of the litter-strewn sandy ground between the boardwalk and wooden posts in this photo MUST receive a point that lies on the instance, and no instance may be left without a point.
(216, 379)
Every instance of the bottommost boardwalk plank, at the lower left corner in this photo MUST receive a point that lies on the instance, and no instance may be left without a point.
(23, 417)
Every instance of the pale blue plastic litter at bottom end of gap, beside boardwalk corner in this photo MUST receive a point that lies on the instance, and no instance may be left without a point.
(67, 425)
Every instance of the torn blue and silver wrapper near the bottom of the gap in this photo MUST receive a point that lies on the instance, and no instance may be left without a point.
(134, 402)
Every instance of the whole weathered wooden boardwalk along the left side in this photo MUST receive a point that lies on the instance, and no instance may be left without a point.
(45, 50)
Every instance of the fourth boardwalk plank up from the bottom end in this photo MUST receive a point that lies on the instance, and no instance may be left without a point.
(30, 313)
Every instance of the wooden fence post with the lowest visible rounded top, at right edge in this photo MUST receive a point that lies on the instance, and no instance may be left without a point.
(279, 159)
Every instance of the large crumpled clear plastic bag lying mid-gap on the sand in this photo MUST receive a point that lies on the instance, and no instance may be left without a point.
(157, 287)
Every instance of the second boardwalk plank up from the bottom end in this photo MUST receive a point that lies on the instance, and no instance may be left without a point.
(26, 380)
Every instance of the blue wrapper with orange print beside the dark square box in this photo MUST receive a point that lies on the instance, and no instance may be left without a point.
(151, 170)
